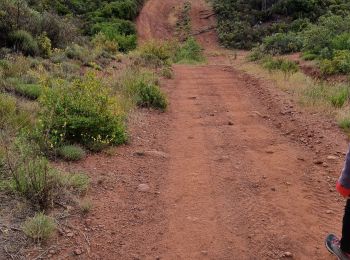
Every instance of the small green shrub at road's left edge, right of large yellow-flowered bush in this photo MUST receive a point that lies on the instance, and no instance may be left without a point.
(151, 96)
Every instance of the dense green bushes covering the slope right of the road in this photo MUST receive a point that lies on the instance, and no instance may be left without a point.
(320, 29)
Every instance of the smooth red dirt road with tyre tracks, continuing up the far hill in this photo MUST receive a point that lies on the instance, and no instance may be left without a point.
(237, 186)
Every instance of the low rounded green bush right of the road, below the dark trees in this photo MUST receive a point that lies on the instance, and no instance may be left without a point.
(282, 43)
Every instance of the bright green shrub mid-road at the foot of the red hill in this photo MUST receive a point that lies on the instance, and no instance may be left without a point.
(189, 52)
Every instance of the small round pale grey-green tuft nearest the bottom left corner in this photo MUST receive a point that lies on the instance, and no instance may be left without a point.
(40, 227)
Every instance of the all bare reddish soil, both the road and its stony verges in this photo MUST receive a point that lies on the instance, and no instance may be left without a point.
(235, 170)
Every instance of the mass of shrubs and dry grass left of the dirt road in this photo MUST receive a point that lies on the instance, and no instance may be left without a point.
(70, 74)
